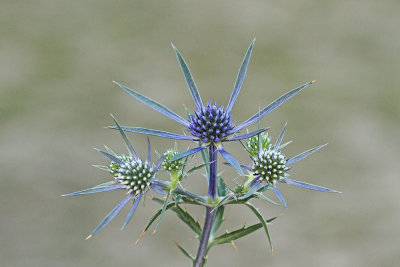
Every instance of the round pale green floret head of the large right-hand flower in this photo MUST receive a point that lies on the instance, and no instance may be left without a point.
(270, 166)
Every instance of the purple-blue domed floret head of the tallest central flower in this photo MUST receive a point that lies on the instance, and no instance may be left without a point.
(210, 124)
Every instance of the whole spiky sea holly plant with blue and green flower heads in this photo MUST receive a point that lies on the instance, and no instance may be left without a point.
(208, 127)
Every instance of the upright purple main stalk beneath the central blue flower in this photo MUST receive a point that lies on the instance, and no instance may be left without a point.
(210, 212)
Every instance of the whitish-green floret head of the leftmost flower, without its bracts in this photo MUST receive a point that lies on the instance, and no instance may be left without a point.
(134, 175)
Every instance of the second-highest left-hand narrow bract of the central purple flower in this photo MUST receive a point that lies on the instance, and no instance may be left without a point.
(154, 105)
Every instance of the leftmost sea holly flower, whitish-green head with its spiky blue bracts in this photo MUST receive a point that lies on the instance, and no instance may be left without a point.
(131, 174)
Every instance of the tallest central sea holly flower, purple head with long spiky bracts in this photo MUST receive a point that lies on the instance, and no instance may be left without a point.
(210, 125)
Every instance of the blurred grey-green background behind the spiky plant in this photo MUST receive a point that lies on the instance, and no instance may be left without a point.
(58, 60)
